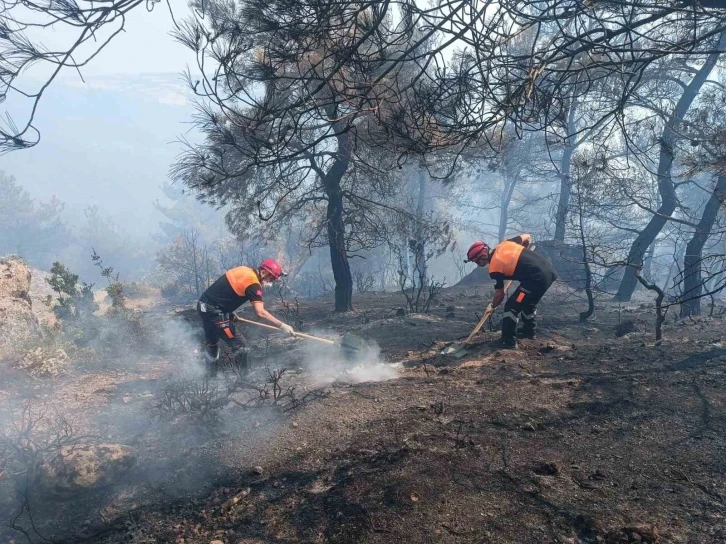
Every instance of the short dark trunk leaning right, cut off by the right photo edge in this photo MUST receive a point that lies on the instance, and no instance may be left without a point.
(692, 280)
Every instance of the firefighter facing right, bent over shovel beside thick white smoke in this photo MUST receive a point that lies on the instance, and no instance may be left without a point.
(223, 297)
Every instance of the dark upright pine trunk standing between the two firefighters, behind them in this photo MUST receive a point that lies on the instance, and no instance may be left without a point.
(336, 226)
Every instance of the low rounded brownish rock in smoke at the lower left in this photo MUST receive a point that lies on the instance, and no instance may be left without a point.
(79, 468)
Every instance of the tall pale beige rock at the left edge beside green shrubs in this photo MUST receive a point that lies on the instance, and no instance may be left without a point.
(17, 322)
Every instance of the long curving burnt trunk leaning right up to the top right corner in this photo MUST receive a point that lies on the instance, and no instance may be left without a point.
(666, 189)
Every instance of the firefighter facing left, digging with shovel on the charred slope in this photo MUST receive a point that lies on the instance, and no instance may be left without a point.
(512, 260)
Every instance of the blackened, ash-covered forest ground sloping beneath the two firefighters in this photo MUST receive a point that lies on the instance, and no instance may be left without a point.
(579, 436)
